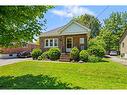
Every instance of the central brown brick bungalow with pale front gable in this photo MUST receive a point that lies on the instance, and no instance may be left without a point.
(66, 37)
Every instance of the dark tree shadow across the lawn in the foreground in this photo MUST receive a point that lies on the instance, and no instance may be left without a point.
(33, 82)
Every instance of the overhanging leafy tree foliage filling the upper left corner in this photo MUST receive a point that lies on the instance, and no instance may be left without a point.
(20, 24)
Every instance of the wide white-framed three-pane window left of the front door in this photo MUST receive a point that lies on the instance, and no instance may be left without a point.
(51, 42)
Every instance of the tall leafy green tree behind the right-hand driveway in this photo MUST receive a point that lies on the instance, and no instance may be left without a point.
(113, 28)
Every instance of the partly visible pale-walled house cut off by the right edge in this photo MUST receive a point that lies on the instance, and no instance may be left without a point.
(123, 45)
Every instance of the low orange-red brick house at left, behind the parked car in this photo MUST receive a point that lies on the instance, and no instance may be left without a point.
(12, 52)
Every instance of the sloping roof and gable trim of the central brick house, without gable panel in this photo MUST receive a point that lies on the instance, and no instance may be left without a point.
(58, 31)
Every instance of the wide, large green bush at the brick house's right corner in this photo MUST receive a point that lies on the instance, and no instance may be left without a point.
(97, 50)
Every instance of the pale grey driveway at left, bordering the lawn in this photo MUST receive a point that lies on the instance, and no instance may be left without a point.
(12, 60)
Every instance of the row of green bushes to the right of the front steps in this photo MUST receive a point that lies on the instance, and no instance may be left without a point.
(93, 54)
